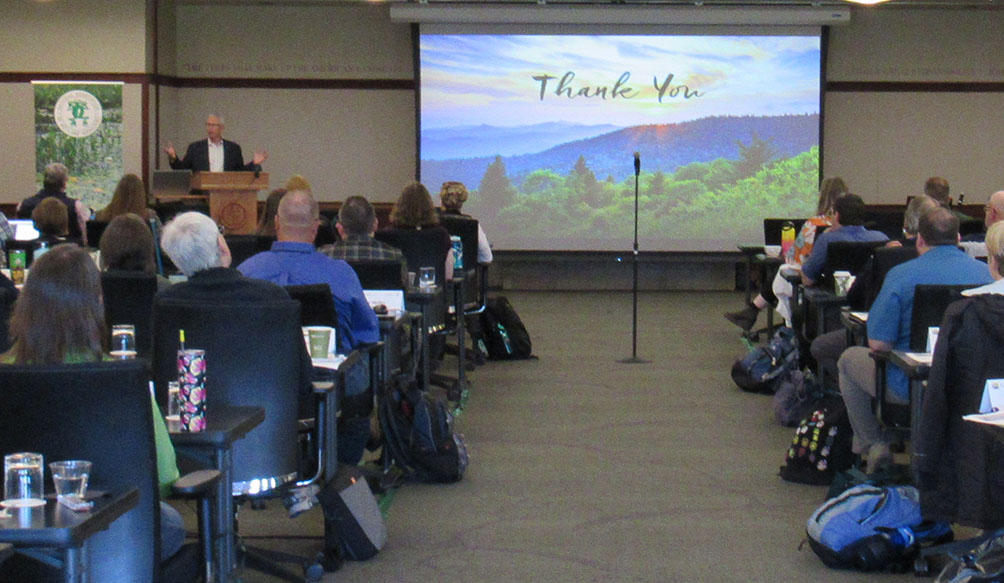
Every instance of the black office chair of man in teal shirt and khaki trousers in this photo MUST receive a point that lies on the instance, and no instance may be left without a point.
(930, 305)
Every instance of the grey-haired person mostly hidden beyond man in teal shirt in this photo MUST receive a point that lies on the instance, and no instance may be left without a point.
(828, 348)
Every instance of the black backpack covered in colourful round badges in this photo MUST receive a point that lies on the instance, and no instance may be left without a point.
(822, 446)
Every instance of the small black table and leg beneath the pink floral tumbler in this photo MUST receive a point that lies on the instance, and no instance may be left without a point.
(213, 448)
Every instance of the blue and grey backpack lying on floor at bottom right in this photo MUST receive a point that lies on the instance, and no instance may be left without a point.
(870, 528)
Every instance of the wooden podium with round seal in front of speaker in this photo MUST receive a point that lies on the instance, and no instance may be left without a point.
(233, 198)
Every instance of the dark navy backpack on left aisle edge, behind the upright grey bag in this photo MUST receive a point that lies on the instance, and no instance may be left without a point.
(419, 435)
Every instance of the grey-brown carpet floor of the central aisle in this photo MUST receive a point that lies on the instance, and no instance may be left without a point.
(584, 469)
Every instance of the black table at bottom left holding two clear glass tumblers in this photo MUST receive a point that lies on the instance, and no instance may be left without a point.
(55, 526)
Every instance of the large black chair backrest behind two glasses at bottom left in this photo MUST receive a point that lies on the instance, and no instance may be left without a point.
(101, 413)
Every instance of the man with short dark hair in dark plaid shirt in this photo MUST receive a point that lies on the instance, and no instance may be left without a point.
(357, 225)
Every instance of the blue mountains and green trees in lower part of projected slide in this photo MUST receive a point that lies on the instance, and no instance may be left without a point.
(700, 180)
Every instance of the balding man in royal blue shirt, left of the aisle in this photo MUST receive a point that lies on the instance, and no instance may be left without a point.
(295, 261)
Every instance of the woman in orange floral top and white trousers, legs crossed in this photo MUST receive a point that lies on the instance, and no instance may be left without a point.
(831, 190)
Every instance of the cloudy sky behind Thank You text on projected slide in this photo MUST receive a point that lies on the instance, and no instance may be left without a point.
(474, 80)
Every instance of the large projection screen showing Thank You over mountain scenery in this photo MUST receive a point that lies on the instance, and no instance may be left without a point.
(543, 130)
